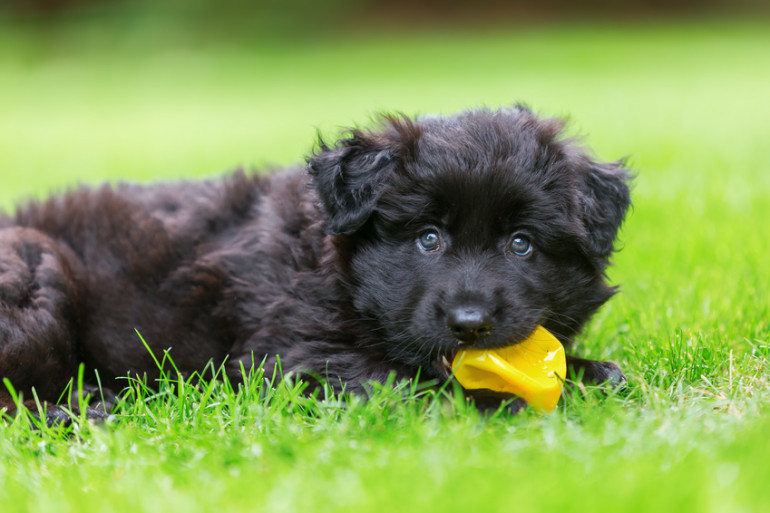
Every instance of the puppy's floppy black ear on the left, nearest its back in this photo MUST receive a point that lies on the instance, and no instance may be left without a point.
(349, 177)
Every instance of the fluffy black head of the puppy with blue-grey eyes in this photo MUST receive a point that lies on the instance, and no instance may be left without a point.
(470, 230)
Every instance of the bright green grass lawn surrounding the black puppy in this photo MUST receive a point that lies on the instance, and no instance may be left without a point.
(687, 103)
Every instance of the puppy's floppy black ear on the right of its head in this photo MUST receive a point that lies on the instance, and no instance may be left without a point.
(604, 199)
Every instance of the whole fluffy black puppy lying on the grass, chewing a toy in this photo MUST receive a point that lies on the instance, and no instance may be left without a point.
(400, 246)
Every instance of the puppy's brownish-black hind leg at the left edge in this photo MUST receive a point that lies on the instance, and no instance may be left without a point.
(38, 317)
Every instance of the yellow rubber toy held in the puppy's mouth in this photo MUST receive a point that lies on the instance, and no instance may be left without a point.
(533, 369)
